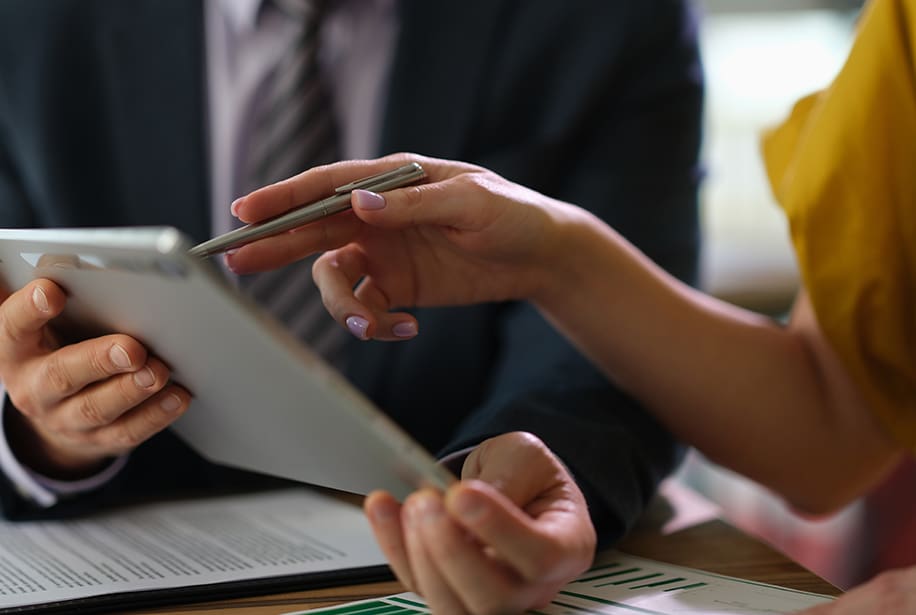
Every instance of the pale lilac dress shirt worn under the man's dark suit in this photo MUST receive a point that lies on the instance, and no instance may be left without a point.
(356, 49)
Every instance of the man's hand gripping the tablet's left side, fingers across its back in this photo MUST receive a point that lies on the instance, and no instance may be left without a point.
(76, 405)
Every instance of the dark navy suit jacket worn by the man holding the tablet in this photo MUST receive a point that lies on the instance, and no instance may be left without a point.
(594, 102)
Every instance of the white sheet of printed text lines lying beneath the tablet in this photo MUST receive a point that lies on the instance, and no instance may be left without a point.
(182, 543)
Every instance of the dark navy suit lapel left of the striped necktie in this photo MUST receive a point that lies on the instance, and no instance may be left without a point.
(155, 86)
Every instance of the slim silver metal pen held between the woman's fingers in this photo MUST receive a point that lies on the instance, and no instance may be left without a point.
(310, 212)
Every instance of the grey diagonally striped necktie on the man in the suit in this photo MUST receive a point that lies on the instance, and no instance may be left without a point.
(294, 129)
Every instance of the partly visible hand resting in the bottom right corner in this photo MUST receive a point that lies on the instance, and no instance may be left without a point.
(890, 593)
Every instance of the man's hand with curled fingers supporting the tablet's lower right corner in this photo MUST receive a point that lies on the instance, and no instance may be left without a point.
(504, 539)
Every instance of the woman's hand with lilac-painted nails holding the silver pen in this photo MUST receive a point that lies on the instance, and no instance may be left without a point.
(466, 236)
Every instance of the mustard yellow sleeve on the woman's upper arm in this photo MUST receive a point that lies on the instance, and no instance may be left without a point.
(843, 166)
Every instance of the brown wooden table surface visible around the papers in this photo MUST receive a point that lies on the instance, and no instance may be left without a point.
(701, 542)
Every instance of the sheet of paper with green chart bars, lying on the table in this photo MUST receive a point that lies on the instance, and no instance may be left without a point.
(624, 584)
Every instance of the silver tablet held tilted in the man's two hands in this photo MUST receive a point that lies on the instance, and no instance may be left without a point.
(262, 401)
